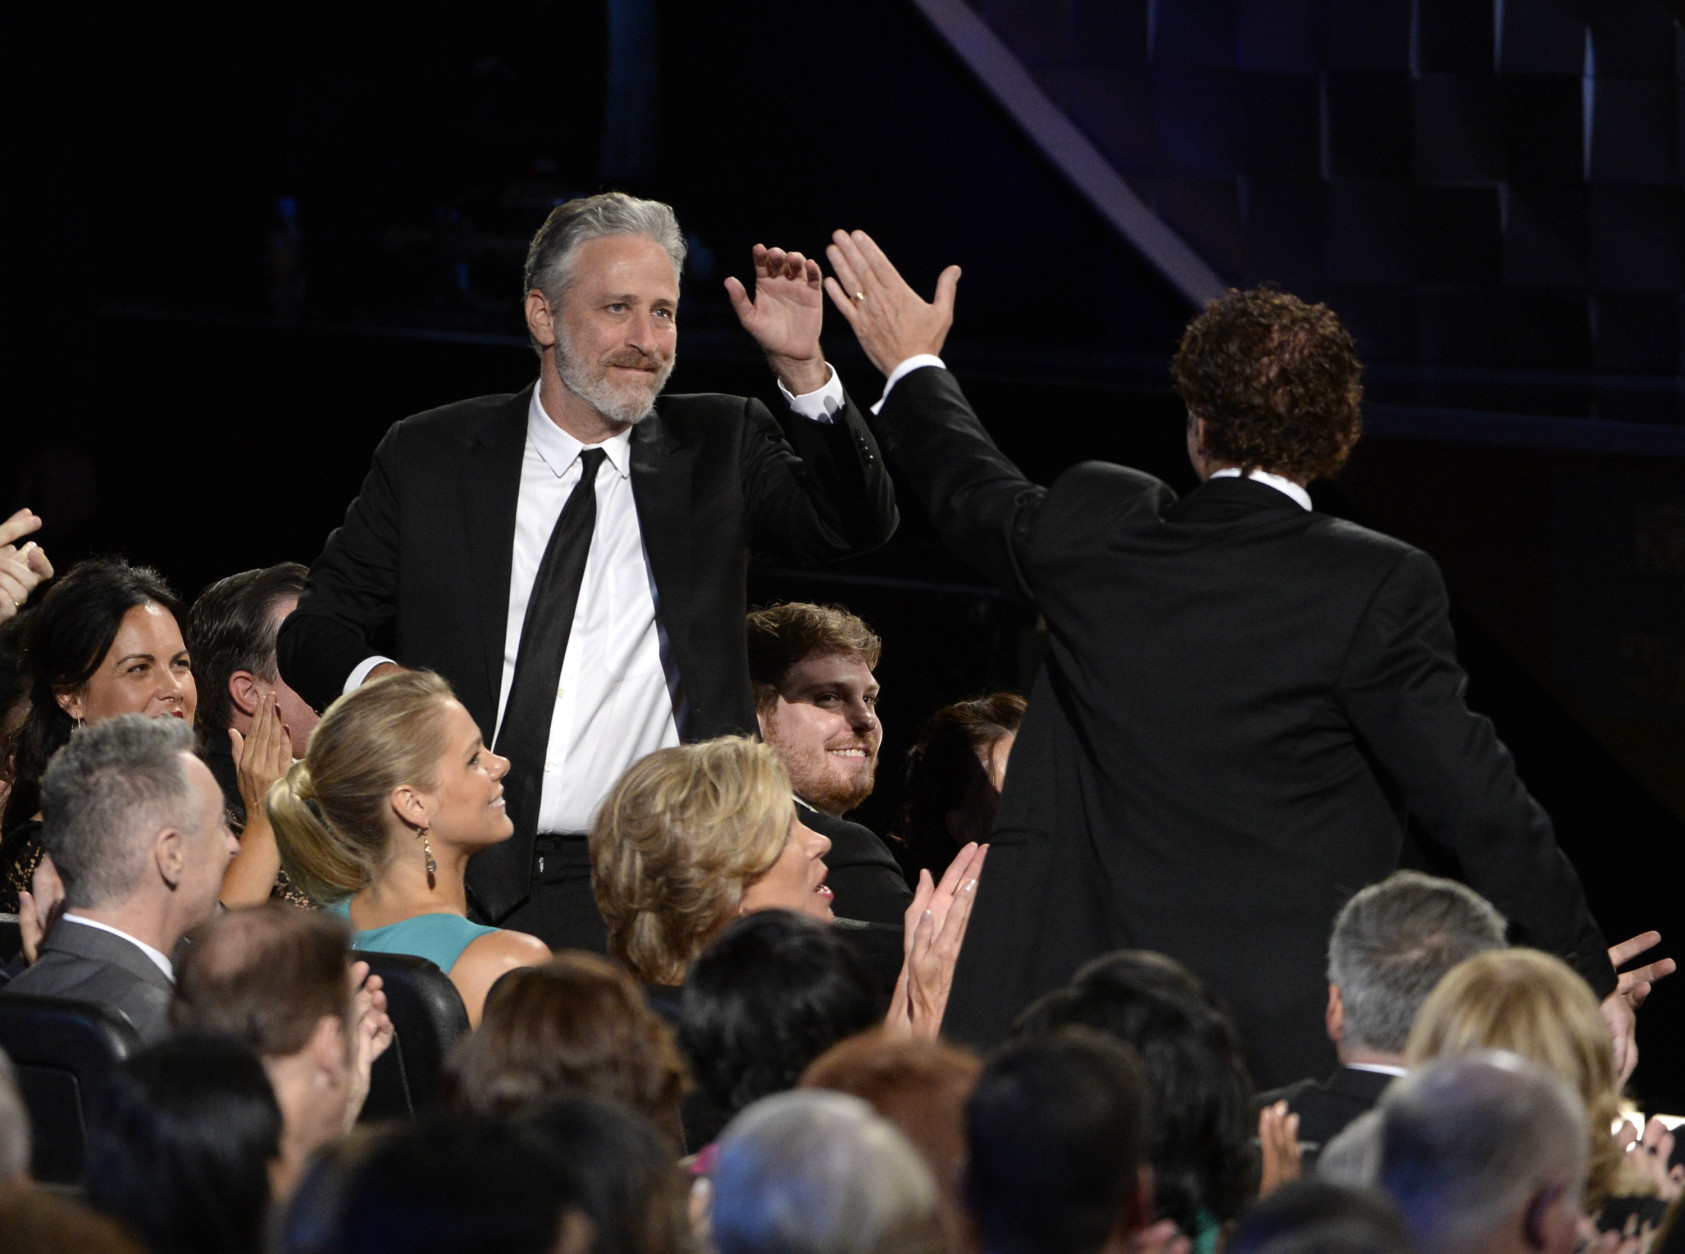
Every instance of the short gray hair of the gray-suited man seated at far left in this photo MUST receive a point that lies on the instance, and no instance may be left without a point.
(107, 795)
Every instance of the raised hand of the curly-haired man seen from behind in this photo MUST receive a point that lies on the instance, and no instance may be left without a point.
(891, 321)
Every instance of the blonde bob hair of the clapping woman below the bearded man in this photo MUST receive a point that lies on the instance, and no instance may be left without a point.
(677, 845)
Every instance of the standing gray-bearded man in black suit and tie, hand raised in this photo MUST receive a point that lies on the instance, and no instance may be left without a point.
(572, 559)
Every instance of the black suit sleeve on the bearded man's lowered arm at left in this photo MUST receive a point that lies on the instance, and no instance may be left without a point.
(351, 591)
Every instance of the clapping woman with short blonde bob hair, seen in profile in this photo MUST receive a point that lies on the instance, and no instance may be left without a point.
(693, 837)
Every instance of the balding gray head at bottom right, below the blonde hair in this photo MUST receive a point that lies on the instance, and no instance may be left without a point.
(1467, 1142)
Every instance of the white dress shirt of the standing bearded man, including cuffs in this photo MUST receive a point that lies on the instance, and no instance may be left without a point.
(612, 702)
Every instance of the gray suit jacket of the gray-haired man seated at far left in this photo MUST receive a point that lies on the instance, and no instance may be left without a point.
(90, 965)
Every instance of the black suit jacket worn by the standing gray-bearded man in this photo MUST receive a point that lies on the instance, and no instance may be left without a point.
(429, 545)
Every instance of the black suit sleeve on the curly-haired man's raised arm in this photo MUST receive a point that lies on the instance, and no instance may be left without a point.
(980, 501)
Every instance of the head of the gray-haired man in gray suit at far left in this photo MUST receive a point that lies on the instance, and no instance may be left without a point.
(132, 815)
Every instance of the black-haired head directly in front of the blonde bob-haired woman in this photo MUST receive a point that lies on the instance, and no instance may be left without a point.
(768, 999)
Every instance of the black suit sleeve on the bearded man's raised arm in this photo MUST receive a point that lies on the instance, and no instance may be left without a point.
(815, 491)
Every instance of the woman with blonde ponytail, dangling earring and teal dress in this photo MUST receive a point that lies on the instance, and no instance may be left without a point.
(380, 818)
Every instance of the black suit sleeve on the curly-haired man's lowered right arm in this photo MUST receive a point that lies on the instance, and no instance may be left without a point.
(1404, 692)
